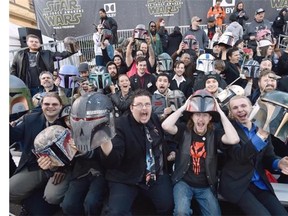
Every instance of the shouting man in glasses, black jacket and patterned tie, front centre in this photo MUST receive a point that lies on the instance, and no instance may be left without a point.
(134, 159)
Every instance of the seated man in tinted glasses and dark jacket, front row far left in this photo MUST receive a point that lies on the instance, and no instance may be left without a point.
(28, 178)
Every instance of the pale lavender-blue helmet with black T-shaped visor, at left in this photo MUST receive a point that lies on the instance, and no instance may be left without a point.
(68, 75)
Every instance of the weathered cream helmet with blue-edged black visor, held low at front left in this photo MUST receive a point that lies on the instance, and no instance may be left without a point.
(57, 143)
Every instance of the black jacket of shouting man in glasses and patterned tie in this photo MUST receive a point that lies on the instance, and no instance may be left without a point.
(126, 163)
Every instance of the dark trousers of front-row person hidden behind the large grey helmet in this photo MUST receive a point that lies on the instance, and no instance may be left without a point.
(85, 196)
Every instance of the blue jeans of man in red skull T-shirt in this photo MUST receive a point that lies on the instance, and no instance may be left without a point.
(183, 195)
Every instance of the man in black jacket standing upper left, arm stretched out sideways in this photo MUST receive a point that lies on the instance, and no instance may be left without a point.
(29, 63)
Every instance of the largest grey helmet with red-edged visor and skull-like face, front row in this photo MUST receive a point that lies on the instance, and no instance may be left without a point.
(92, 119)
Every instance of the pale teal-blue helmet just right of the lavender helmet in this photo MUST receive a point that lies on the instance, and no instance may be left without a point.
(100, 78)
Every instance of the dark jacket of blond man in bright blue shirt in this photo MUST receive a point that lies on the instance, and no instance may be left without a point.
(242, 160)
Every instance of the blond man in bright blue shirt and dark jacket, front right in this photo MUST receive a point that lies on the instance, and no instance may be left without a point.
(243, 180)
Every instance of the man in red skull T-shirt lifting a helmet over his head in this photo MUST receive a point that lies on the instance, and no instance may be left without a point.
(195, 174)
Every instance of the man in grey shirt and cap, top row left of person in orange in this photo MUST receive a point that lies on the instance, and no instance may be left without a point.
(199, 33)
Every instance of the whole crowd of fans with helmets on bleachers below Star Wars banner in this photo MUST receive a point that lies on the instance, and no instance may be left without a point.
(181, 104)
